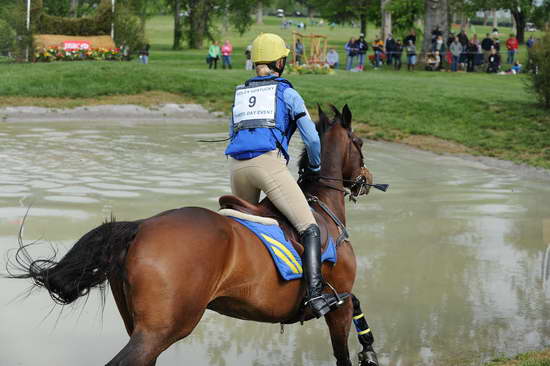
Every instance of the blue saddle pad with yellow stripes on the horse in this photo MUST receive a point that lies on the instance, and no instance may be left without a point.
(286, 259)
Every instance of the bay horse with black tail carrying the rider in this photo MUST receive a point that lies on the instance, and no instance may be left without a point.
(166, 270)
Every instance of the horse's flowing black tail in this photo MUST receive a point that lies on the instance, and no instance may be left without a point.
(97, 255)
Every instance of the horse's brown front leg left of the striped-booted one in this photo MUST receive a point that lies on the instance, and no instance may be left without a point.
(339, 323)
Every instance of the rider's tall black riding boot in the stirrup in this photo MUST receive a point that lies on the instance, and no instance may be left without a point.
(319, 303)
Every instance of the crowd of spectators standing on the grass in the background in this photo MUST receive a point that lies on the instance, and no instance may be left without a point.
(456, 53)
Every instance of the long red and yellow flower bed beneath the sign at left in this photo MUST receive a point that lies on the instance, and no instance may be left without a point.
(49, 54)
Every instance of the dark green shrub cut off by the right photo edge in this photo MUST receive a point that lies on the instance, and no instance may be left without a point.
(539, 69)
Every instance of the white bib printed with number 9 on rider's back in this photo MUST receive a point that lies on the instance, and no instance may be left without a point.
(256, 103)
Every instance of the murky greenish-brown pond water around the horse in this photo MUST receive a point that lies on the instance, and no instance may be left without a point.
(453, 260)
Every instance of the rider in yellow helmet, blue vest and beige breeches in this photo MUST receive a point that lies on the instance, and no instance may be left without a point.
(266, 112)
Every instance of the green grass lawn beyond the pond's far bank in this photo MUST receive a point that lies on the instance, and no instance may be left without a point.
(490, 114)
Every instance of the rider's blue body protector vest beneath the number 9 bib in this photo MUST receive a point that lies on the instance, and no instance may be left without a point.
(252, 135)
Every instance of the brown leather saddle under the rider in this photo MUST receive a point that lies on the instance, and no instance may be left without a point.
(266, 209)
